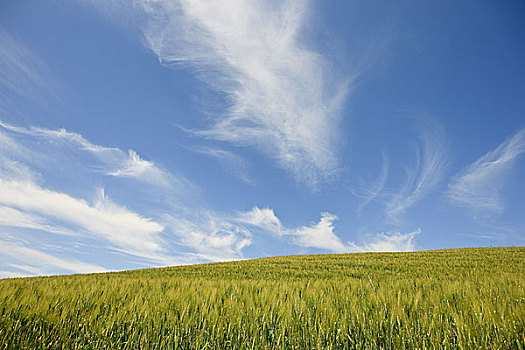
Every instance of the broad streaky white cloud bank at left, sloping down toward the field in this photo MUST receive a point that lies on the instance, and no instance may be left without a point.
(33, 197)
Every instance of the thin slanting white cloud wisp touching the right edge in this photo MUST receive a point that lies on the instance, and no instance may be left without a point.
(479, 185)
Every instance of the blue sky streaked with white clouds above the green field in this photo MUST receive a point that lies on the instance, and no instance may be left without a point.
(151, 133)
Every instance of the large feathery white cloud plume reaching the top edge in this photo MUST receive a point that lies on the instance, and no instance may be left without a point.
(280, 95)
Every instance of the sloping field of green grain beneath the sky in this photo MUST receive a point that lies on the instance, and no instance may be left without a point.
(451, 299)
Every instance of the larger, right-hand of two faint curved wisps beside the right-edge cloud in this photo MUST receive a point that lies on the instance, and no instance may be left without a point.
(427, 173)
